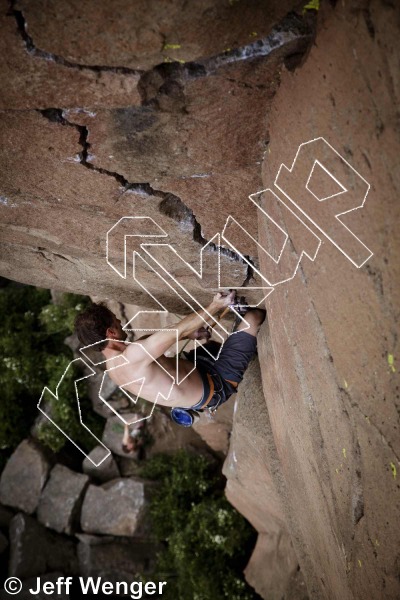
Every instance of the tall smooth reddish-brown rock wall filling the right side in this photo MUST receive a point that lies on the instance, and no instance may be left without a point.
(332, 397)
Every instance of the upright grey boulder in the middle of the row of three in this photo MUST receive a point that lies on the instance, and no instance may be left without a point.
(61, 499)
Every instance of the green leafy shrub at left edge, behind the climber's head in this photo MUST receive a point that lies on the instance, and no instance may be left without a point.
(32, 332)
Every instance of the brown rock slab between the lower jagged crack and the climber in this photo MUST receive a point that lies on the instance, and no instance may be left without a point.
(60, 257)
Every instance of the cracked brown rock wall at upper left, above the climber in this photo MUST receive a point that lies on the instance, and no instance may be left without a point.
(117, 161)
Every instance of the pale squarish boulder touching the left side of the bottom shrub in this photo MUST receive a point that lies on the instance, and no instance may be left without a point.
(118, 507)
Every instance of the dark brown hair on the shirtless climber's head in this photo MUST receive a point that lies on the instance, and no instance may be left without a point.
(91, 325)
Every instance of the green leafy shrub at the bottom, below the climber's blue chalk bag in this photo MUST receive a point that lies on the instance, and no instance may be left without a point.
(207, 542)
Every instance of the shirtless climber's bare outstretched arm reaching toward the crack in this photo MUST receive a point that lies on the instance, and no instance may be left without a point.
(159, 342)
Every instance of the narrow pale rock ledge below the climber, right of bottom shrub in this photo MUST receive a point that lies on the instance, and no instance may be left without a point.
(251, 489)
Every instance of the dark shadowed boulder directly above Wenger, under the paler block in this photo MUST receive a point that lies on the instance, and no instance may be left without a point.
(114, 558)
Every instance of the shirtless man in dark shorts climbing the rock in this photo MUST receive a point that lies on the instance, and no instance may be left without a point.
(209, 384)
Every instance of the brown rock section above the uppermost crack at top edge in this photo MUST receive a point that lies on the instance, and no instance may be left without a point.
(142, 34)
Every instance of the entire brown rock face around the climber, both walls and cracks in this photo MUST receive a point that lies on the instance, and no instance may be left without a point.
(115, 132)
